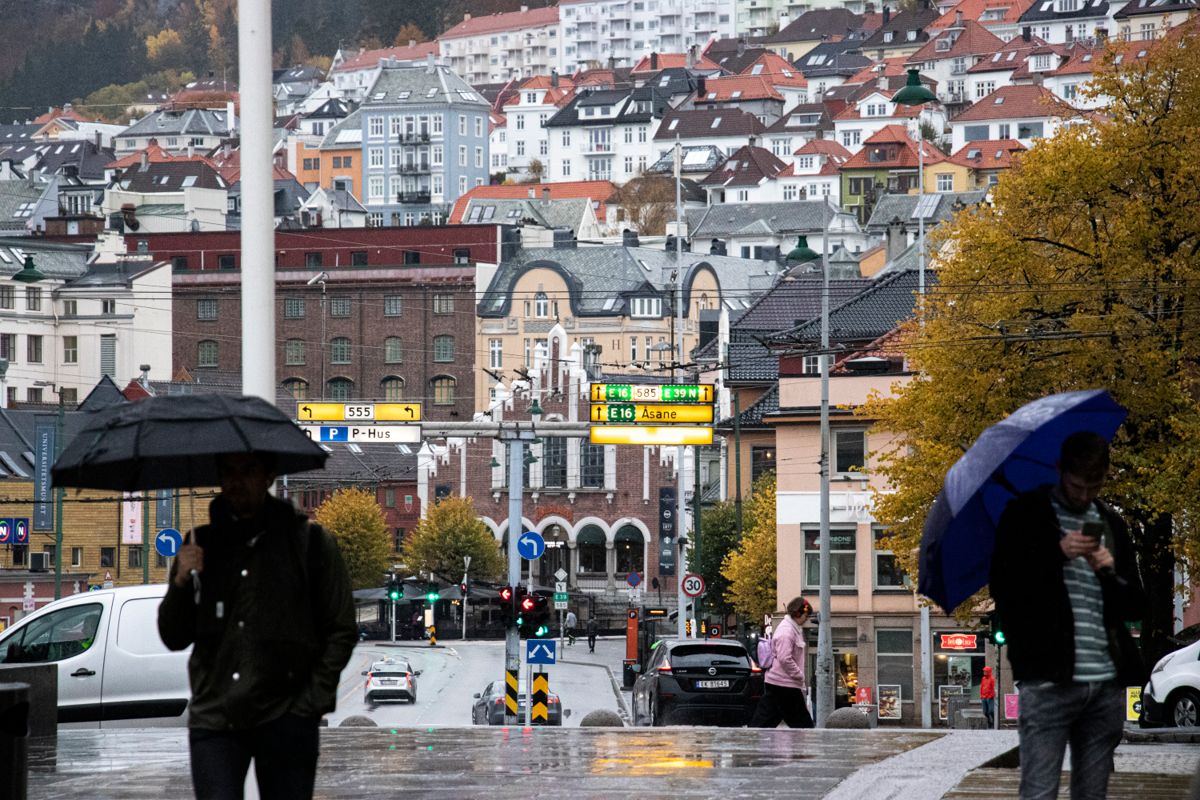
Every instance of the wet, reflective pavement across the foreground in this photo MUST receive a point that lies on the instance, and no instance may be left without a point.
(604, 763)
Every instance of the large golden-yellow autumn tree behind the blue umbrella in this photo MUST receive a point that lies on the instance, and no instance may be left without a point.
(1075, 279)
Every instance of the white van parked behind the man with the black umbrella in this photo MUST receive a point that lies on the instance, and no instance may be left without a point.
(112, 665)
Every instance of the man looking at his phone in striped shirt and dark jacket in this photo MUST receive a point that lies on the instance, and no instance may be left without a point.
(1065, 582)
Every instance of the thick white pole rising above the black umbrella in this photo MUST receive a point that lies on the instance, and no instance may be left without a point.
(257, 200)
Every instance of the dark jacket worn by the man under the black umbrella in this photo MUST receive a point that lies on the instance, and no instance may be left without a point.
(275, 622)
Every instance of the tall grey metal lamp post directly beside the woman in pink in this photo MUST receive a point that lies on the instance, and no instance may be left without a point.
(825, 631)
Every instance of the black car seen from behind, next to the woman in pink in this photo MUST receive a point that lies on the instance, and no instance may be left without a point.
(695, 682)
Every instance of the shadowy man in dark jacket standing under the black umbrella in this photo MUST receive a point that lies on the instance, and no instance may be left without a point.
(265, 598)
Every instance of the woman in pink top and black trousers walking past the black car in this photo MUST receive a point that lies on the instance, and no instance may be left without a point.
(784, 699)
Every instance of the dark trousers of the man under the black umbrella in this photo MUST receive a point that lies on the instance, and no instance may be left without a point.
(285, 754)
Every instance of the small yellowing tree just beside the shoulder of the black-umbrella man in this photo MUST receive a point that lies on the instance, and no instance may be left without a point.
(356, 520)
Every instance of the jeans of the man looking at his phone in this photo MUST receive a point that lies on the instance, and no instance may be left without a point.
(1089, 717)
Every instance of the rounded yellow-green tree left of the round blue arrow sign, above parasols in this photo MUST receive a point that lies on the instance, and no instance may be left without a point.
(449, 532)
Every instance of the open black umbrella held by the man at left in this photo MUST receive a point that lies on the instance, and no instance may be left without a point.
(175, 442)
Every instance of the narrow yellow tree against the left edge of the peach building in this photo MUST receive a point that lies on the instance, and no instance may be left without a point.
(751, 569)
